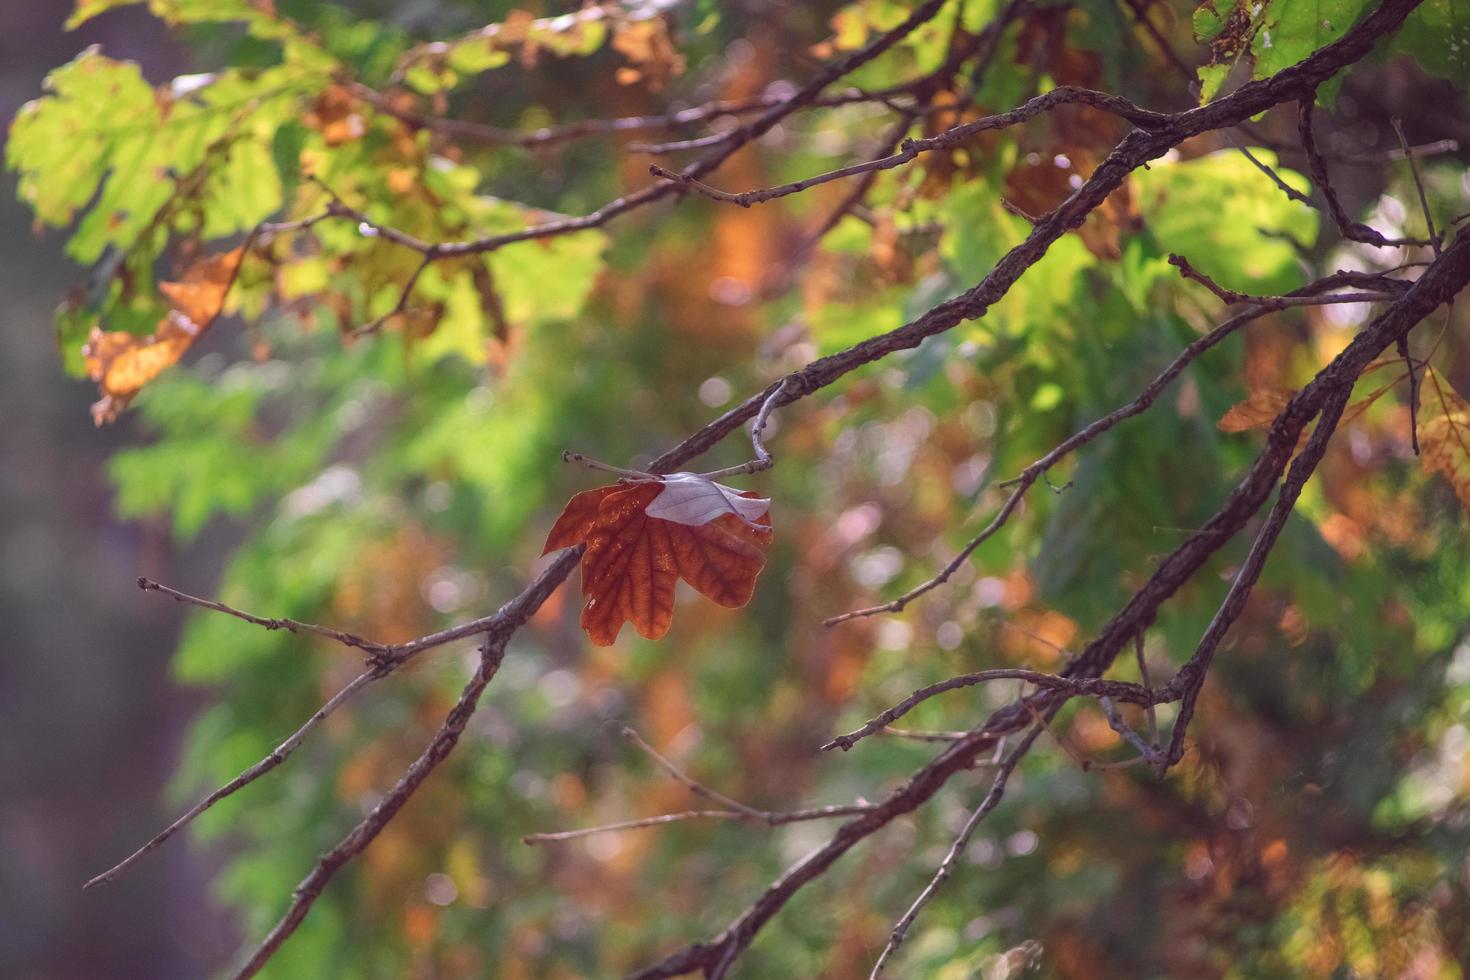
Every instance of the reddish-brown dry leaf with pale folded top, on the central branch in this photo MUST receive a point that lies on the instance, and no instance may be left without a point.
(645, 536)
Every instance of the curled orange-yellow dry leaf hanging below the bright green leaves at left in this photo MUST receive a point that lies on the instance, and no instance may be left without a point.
(123, 364)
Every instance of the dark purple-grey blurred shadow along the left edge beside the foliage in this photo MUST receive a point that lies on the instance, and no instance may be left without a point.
(90, 724)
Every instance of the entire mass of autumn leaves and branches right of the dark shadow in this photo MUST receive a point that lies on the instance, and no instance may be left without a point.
(1027, 289)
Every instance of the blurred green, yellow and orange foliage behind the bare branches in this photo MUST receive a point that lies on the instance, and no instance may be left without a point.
(398, 481)
